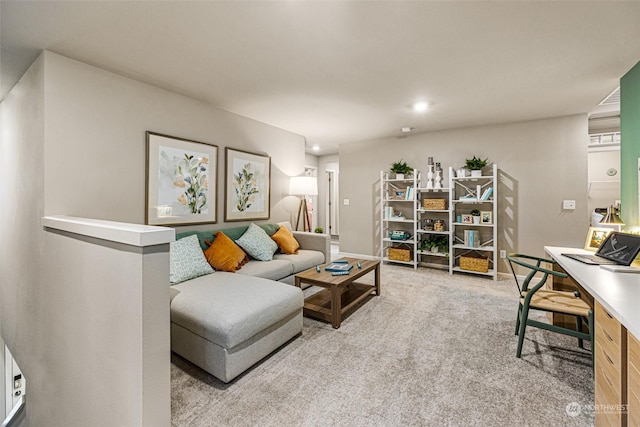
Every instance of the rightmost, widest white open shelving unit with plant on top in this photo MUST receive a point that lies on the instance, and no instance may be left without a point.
(464, 198)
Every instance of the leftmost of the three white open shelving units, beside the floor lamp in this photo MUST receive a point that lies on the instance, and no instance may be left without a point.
(390, 188)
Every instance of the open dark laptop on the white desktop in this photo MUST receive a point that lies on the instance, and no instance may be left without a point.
(617, 248)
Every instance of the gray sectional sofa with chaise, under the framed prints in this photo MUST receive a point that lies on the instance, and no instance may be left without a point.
(226, 322)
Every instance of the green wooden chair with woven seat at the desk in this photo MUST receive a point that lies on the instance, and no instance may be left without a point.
(532, 296)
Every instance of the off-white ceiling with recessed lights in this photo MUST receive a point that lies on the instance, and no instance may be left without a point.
(338, 72)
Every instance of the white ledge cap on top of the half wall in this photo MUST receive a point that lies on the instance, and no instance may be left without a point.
(121, 232)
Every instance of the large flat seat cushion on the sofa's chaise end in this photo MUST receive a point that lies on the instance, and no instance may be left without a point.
(228, 309)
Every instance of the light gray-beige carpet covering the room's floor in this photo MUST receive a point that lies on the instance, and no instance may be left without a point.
(433, 350)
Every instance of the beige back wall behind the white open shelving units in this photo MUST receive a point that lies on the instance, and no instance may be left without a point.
(541, 163)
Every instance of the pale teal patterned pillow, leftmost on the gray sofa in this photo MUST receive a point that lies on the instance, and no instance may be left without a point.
(186, 260)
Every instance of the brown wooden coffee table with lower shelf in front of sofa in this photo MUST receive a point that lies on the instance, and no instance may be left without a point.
(340, 293)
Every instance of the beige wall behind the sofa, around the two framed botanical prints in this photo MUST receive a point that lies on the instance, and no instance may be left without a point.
(95, 141)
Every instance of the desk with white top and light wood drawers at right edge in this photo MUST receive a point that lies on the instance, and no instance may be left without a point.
(616, 297)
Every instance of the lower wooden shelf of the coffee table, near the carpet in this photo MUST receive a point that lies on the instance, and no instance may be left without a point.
(318, 306)
